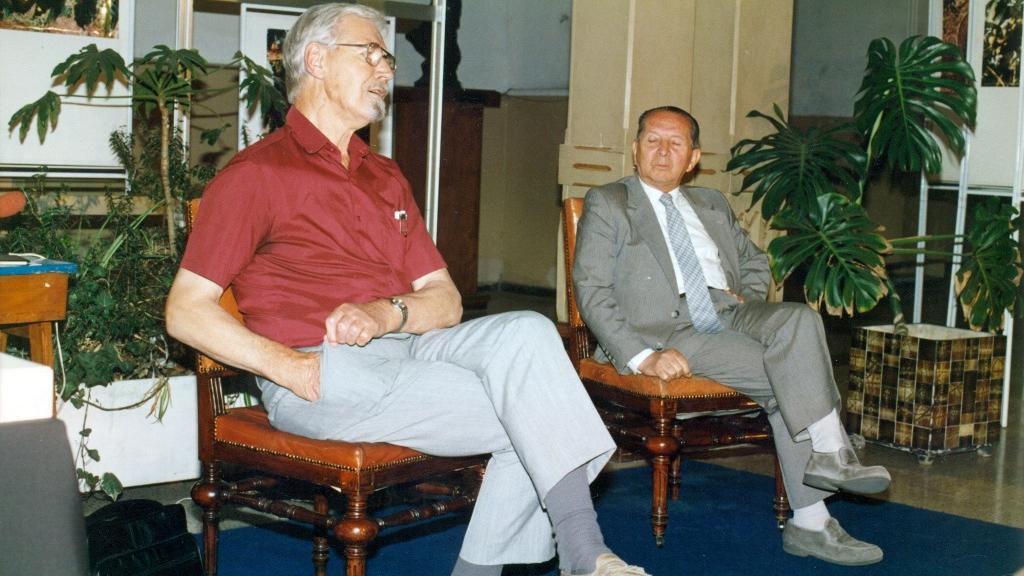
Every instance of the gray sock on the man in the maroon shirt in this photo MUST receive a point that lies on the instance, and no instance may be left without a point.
(577, 534)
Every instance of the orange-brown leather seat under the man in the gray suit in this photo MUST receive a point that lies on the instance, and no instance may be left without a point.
(652, 387)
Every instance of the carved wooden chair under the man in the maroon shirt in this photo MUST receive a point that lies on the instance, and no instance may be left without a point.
(244, 437)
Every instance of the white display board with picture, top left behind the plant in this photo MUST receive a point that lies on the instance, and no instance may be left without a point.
(33, 45)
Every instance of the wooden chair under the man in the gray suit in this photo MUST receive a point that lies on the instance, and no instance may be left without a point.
(663, 421)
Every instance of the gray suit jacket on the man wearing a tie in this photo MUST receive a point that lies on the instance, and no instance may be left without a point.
(625, 285)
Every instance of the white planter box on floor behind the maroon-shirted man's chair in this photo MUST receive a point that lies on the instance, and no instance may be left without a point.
(135, 446)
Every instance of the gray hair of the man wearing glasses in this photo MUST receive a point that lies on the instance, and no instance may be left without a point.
(318, 25)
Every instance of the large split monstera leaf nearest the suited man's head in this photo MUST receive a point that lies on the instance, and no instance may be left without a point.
(789, 167)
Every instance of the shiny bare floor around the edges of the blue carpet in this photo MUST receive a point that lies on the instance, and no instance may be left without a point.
(973, 485)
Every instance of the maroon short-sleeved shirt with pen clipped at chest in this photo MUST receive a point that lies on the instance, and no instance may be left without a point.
(295, 234)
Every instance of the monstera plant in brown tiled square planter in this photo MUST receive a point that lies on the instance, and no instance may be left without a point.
(813, 185)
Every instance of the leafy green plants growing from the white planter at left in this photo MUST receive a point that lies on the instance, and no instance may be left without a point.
(115, 326)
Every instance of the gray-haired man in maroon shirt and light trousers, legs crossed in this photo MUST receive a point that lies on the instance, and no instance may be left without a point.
(352, 320)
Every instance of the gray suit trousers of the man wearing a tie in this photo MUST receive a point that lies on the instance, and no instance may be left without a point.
(776, 354)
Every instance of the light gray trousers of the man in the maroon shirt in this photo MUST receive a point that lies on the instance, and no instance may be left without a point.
(500, 385)
